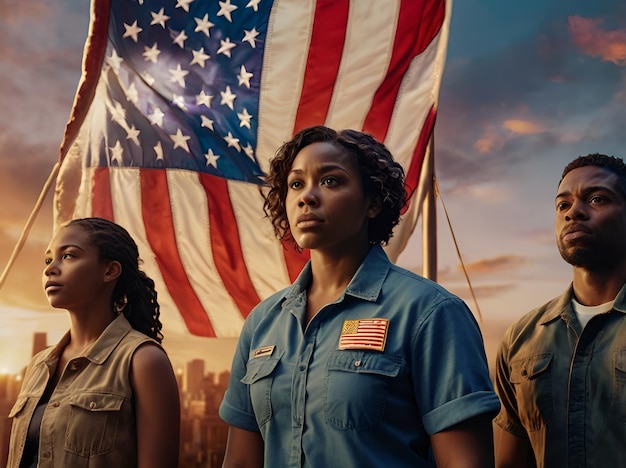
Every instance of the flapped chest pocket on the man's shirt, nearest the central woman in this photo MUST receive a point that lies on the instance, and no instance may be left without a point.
(532, 379)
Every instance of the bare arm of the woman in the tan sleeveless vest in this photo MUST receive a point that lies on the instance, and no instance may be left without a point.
(157, 407)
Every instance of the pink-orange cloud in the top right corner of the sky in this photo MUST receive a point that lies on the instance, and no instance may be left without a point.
(592, 40)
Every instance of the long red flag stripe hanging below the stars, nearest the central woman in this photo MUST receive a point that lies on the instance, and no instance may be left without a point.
(226, 246)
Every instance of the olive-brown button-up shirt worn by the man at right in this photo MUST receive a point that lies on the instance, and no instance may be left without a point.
(563, 387)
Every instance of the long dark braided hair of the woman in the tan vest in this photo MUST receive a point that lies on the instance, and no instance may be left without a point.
(134, 294)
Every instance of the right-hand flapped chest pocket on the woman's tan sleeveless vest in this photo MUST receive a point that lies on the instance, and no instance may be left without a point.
(92, 423)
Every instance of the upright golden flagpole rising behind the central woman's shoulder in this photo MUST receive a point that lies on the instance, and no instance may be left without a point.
(429, 217)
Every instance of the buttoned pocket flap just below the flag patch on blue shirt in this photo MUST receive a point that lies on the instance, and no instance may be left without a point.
(365, 362)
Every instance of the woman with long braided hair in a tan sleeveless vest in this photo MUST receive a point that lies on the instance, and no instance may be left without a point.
(106, 394)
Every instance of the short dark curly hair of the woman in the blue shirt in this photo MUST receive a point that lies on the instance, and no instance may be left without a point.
(381, 176)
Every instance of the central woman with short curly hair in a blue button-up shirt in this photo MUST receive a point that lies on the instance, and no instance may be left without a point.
(359, 363)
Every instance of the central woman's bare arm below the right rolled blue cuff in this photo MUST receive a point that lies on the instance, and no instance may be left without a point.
(468, 444)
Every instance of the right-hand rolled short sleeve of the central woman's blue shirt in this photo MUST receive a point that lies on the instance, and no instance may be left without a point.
(450, 367)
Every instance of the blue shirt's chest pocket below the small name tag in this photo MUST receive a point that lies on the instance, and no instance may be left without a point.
(259, 377)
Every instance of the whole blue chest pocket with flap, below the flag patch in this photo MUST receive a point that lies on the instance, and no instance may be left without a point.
(357, 387)
